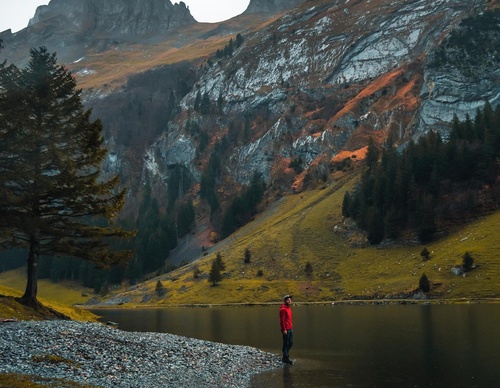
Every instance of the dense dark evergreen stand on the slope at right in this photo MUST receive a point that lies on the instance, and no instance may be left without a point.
(415, 188)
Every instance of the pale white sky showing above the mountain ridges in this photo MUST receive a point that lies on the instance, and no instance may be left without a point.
(15, 14)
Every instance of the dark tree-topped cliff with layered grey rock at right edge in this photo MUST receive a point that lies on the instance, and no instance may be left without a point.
(462, 73)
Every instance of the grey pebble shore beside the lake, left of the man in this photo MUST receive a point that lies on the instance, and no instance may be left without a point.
(95, 354)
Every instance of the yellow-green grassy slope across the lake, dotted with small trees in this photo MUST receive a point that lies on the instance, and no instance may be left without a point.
(308, 227)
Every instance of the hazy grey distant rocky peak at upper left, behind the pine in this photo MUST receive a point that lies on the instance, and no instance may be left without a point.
(75, 27)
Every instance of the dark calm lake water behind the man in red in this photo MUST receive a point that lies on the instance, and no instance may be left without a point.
(350, 346)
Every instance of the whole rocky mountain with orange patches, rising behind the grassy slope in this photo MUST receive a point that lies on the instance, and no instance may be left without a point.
(192, 111)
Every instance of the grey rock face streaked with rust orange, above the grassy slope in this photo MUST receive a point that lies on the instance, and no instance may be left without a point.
(330, 75)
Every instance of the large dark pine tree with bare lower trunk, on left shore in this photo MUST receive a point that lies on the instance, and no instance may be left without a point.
(53, 198)
